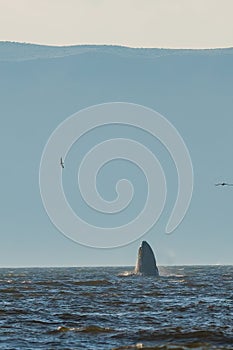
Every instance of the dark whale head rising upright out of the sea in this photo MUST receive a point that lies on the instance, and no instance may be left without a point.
(146, 263)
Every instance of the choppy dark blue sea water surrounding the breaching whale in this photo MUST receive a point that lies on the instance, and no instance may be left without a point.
(188, 307)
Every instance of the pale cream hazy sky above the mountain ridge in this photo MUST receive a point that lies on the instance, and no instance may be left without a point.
(138, 23)
